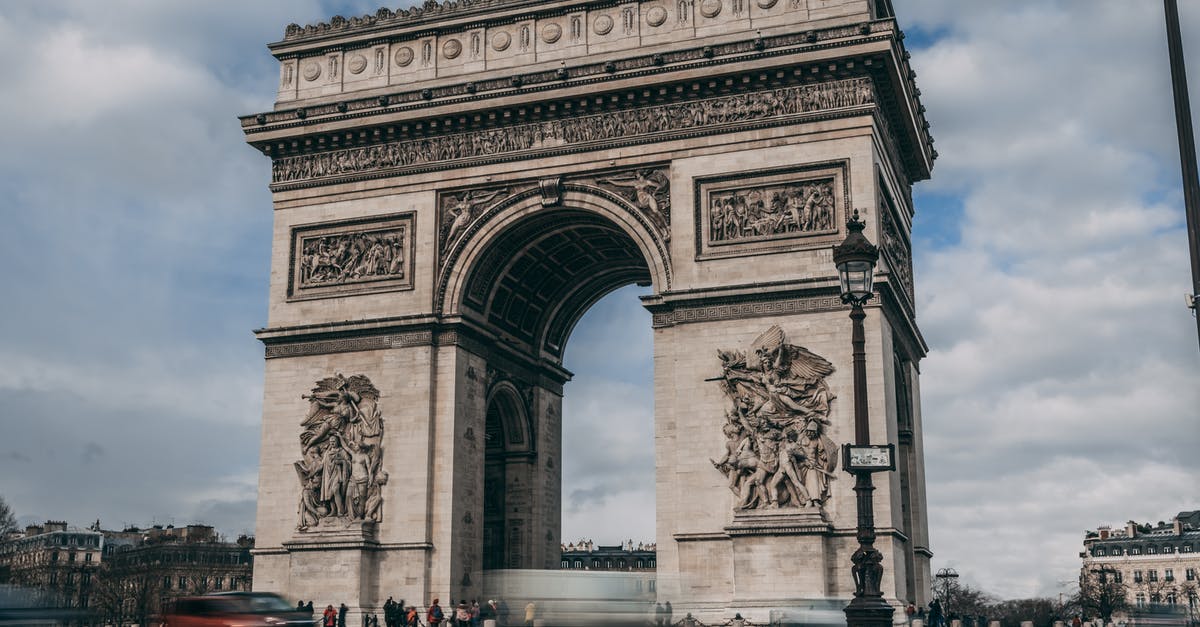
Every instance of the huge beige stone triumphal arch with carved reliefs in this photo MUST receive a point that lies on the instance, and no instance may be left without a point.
(455, 186)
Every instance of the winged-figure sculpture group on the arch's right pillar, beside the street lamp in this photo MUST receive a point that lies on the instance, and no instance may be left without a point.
(777, 415)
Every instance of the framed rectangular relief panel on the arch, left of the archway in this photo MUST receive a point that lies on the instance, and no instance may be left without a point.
(352, 258)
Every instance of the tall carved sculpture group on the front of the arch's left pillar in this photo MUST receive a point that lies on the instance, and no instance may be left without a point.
(341, 468)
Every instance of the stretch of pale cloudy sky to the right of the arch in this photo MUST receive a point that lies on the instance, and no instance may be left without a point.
(1060, 390)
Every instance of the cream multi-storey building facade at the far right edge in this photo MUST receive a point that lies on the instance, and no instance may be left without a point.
(1156, 565)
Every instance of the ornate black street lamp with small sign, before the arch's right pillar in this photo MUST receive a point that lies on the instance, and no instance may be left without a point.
(856, 259)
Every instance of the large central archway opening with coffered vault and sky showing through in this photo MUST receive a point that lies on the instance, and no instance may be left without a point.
(531, 286)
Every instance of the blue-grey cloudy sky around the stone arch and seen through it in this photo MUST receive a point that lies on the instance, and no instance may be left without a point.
(1061, 391)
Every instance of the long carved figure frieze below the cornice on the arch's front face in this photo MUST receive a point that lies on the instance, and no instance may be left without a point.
(700, 117)
